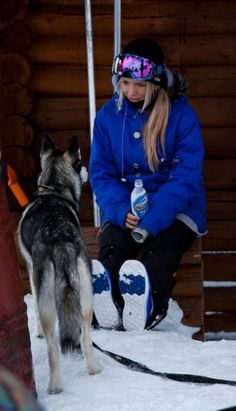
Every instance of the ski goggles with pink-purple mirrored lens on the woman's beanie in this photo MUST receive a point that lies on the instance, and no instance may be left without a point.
(138, 68)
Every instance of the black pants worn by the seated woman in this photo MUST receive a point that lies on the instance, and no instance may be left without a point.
(160, 255)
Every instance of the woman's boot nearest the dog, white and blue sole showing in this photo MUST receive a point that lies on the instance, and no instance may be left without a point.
(104, 307)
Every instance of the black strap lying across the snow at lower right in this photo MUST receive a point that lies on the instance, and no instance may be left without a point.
(137, 366)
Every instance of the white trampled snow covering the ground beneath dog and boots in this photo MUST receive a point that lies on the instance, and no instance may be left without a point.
(169, 348)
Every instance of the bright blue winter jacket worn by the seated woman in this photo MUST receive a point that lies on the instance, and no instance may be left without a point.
(118, 158)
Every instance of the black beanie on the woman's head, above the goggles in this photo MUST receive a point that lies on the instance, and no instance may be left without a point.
(146, 48)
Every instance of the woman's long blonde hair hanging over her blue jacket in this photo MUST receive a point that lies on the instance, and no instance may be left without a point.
(155, 128)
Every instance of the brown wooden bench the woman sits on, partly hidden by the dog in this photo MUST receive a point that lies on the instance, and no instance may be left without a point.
(188, 291)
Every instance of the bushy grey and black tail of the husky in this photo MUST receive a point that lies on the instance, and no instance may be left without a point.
(67, 297)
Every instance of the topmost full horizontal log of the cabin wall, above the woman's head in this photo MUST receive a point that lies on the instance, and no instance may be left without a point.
(58, 24)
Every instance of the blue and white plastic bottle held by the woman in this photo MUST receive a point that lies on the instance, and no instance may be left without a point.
(139, 199)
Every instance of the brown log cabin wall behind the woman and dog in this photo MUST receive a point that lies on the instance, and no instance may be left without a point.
(44, 64)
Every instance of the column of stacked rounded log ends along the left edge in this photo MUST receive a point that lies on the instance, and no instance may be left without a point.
(17, 97)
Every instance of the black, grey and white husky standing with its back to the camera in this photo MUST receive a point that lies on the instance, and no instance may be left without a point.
(57, 260)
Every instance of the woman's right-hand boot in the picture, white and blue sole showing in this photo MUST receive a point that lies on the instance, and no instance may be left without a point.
(136, 292)
